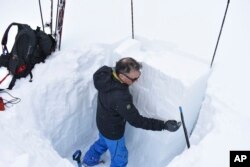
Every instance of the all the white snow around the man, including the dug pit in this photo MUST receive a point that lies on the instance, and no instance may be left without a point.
(174, 40)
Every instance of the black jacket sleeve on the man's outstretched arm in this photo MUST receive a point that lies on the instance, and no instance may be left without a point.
(125, 107)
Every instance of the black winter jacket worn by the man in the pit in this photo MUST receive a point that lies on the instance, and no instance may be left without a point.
(115, 107)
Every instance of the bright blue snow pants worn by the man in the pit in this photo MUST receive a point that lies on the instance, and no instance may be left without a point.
(117, 149)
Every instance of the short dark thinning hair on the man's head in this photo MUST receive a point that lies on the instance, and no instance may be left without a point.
(127, 64)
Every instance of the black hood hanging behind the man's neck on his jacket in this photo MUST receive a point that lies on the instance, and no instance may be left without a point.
(105, 81)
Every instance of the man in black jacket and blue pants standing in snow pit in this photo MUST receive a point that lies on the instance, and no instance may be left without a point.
(114, 108)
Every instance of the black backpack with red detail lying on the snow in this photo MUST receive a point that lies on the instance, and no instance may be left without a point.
(30, 47)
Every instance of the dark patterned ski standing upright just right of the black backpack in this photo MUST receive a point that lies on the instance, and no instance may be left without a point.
(59, 22)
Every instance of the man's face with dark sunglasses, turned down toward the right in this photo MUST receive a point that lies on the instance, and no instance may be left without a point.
(131, 77)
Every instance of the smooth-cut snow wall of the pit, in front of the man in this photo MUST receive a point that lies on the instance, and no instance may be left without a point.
(168, 80)
